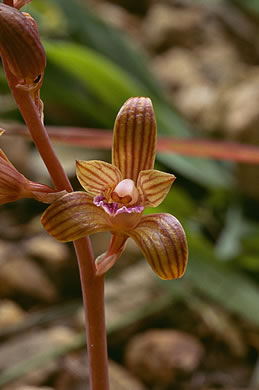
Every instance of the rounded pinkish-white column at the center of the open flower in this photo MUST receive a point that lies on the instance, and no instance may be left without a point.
(125, 192)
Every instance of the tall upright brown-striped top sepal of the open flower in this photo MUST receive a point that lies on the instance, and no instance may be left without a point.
(134, 137)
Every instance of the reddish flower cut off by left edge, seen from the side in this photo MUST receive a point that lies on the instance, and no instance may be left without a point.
(14, 186)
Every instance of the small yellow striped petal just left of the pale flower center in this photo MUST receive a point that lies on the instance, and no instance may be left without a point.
(95, 176)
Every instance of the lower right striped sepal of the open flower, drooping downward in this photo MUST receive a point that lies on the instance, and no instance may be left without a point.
(162, 240)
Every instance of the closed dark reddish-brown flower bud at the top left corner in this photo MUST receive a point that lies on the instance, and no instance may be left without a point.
(20, 46)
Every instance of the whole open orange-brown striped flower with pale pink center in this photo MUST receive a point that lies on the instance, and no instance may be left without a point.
(117, 194)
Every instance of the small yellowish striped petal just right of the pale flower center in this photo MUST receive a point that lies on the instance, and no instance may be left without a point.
(155, 186)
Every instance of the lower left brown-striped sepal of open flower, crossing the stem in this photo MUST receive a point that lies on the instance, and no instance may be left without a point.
(74, 216)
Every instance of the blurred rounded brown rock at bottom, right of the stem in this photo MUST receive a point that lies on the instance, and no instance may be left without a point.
(158, 356)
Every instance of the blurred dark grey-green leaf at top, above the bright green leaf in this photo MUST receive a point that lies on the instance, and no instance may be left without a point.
(89, 30)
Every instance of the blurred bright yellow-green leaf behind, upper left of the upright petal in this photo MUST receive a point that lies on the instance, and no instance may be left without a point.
(99, 75)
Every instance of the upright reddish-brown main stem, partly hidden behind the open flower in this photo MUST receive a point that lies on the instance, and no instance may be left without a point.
(92, 285)
